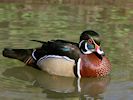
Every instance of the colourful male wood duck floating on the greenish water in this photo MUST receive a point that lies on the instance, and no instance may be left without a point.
(65, 58)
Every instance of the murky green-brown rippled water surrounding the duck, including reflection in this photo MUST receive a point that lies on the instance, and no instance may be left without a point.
(66, 19)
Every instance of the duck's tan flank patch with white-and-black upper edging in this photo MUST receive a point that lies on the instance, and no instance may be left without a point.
(57, 65)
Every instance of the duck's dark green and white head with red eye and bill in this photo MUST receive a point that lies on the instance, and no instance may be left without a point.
(90, 42)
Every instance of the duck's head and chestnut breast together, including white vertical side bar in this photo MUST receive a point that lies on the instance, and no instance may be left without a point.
(92, 62)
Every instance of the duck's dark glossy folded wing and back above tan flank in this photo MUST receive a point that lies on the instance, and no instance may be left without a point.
(58, 47)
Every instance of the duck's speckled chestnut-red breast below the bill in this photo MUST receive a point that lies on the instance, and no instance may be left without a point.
(92, 66)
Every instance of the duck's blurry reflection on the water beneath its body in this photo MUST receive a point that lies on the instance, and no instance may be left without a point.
(61, 87)
